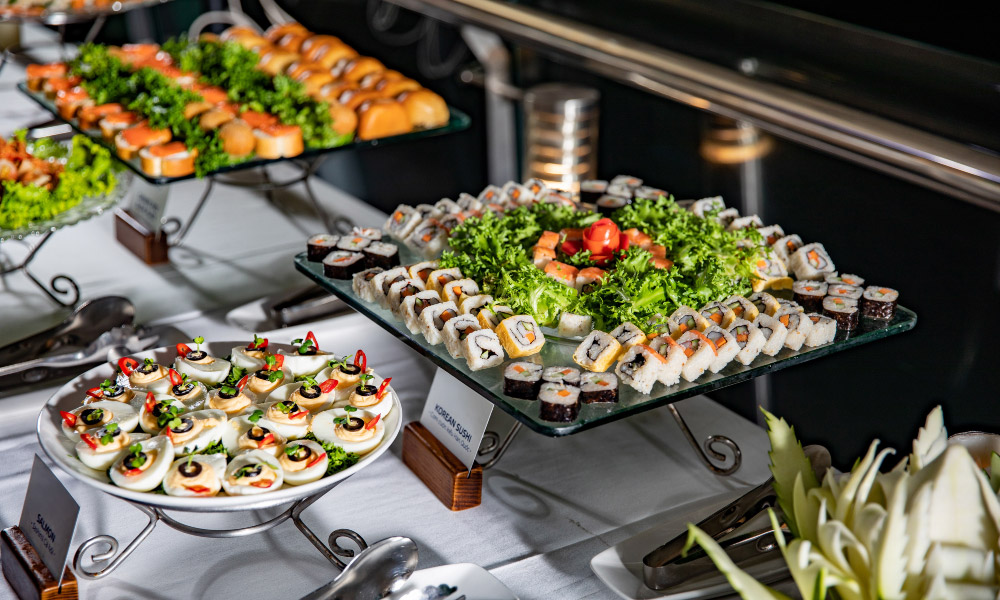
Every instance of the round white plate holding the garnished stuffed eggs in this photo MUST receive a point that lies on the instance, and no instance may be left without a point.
(60, 449)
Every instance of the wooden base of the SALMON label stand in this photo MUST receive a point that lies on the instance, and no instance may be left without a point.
(27, 574)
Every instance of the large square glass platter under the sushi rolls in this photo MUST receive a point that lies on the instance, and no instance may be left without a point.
(559, 352)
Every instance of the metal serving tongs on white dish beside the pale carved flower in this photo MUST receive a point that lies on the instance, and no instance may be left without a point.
(665, 568)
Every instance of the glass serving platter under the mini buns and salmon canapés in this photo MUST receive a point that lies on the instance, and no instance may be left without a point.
(457, 121)
